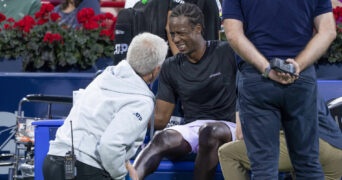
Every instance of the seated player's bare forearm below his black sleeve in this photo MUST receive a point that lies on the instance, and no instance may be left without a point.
(162, 113)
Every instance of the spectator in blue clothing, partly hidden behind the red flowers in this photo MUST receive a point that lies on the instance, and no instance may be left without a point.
(68, 10)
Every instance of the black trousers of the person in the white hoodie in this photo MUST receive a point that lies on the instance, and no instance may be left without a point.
(53, 169)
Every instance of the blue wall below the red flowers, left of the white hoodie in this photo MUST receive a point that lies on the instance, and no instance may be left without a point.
(14, 86)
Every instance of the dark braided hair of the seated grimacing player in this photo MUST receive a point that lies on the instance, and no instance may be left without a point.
(191, 11)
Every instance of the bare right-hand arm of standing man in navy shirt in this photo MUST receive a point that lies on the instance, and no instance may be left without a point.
(326, 33)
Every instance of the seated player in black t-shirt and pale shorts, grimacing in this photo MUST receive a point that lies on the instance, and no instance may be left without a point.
(202, 76)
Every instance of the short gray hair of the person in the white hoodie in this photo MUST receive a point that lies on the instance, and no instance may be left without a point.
(146, 52)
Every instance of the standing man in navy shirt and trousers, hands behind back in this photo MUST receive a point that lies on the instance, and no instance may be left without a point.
(259, 31)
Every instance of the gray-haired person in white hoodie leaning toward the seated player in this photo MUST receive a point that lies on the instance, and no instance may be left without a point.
(110, 117)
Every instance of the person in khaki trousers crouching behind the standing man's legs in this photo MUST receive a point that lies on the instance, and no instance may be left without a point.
(235, 164)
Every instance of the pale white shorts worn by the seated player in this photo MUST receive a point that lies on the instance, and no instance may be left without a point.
(190, 131)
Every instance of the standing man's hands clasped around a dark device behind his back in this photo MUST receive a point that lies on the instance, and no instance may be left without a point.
(285, 78)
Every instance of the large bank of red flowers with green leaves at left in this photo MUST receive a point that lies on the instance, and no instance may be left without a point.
(43, 44)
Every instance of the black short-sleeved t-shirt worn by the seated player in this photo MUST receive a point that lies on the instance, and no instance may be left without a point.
(207, 89)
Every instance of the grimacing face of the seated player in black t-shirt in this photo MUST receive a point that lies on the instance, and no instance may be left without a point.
(183, 34)
